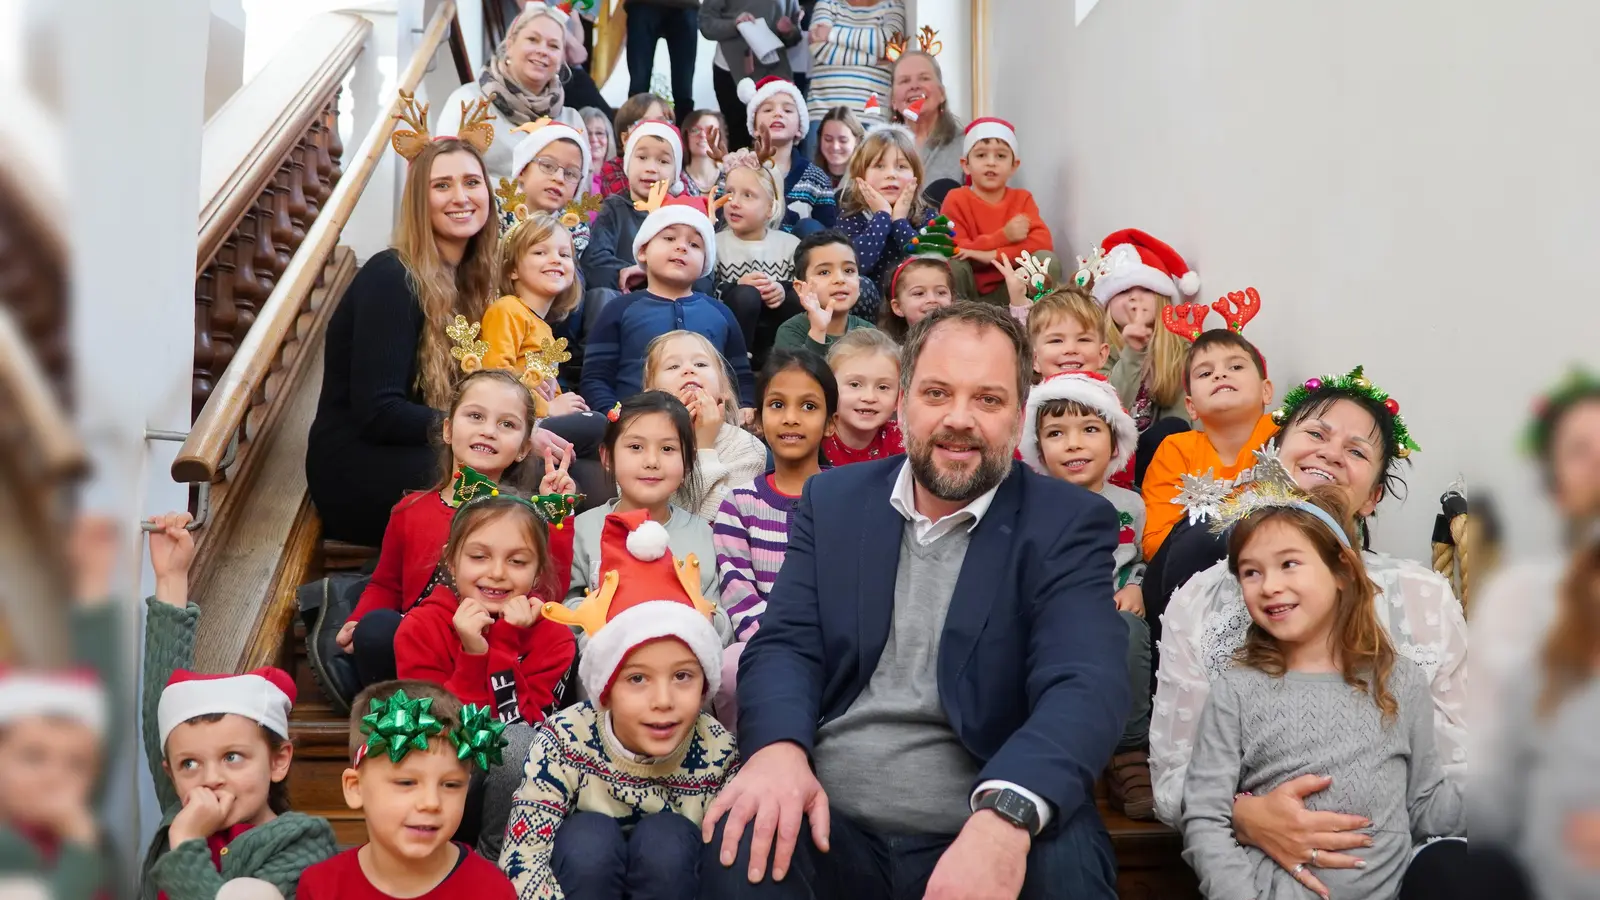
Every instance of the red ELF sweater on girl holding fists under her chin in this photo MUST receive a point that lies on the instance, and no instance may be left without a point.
(518, 675)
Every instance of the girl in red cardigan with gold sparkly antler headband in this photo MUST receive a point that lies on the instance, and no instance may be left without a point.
(489, 430)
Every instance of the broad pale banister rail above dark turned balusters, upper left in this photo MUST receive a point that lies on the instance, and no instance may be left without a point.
(249, 137)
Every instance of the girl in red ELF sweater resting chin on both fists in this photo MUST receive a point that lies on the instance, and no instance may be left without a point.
(482, 637)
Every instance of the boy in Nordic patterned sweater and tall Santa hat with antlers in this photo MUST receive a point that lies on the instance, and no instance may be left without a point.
(615, 790)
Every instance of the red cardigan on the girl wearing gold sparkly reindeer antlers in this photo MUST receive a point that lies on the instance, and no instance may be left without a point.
(415, 540)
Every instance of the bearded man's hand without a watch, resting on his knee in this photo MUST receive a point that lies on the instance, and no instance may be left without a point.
(774, 790)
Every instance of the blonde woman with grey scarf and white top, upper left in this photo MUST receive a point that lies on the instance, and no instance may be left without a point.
(524, 84)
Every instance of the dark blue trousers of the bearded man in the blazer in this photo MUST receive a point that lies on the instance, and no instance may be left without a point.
(1071, 859)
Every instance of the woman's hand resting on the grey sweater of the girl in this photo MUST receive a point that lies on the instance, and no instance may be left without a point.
(1281, 827)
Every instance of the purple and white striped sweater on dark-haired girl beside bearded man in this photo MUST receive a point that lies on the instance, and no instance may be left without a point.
(751, 537)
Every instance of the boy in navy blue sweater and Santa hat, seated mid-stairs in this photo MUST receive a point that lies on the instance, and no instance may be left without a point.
(679, 252)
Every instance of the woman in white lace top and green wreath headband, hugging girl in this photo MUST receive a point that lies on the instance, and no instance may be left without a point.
(1342, 435)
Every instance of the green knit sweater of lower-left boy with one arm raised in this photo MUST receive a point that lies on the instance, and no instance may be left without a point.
(278, 851)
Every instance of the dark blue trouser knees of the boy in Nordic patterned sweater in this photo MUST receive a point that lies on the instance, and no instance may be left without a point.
(660, 861)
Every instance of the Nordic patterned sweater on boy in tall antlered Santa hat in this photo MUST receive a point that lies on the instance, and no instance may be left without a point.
(577, 765)
